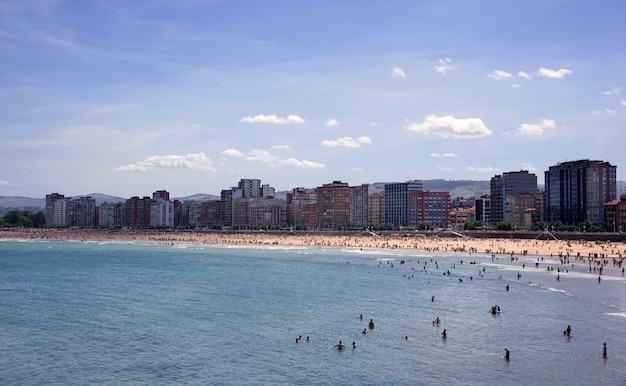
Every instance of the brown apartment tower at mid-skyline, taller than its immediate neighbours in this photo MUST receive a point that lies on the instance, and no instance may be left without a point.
(333, 202)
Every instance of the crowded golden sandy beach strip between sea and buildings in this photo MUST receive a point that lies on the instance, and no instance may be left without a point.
(529, 248)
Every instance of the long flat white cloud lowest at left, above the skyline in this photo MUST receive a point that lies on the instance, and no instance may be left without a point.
(196, 161)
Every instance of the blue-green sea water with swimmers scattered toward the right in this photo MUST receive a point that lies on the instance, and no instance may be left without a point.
(159, 314)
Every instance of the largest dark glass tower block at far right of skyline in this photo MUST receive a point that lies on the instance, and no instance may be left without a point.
(576, 191)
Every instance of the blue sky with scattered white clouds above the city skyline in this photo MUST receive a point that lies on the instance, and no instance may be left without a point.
(129, 97)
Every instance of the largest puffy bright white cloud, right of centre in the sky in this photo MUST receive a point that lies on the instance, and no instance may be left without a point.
(449, 126)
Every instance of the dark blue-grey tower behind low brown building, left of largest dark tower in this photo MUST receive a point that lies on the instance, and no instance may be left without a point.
(504, 188)
